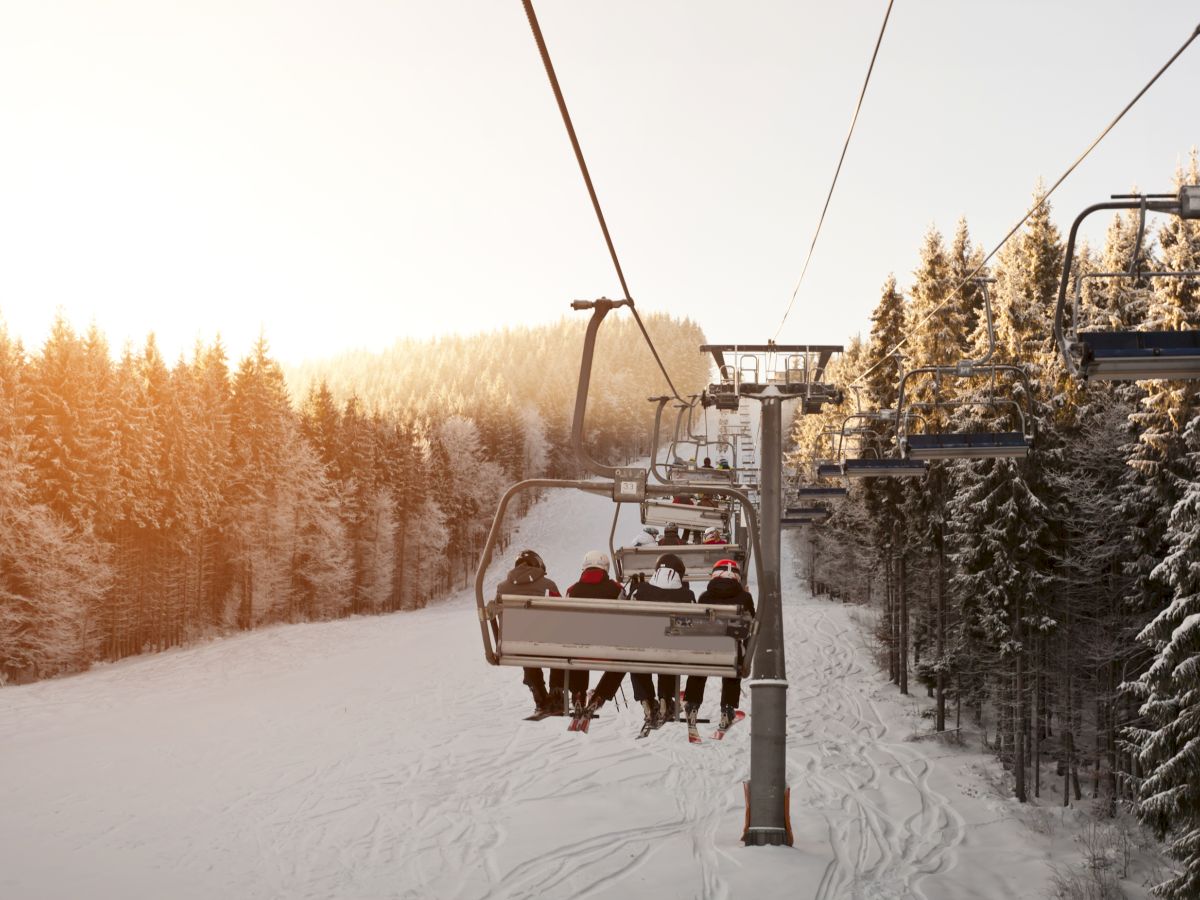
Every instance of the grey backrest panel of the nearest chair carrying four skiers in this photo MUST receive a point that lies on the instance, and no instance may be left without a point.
(620, 635)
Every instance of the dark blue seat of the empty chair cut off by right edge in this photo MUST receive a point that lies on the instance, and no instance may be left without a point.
(1141, 356)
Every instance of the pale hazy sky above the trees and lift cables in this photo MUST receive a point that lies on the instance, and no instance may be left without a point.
(346, 175)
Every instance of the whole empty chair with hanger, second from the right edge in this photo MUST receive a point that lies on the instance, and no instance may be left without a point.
(1015, 443)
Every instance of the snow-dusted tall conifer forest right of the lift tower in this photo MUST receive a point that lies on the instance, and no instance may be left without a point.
(1052, 602)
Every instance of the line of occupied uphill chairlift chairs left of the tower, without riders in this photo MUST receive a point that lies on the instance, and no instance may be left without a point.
(622, 635)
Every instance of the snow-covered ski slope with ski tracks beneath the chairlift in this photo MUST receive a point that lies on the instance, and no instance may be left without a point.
(382, 758)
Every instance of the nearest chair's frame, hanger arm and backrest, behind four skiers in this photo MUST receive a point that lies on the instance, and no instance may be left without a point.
(614, 635)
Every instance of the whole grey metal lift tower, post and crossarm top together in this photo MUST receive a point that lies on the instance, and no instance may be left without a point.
(772, 375)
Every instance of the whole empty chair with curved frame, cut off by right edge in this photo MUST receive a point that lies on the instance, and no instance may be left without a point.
(1129, 356)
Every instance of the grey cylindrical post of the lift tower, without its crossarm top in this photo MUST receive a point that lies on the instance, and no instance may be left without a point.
(769, 687)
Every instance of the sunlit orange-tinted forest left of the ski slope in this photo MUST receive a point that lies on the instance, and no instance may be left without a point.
(147, 505)
